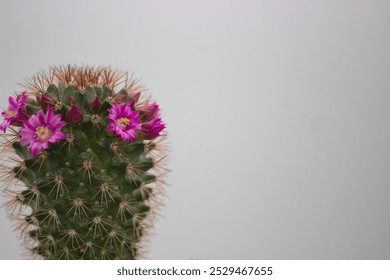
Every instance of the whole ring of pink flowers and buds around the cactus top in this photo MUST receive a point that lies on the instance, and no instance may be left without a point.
(39, 130)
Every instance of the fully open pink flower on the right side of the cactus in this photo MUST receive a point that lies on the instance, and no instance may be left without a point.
(124, 122)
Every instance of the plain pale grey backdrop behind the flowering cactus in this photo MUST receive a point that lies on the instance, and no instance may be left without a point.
(278, 113)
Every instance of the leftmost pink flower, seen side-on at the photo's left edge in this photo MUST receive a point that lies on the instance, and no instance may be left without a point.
(15, 113)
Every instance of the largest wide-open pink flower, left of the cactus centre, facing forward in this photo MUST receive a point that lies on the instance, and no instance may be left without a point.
(40, 130)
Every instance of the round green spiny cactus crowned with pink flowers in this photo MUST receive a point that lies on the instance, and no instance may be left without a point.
(82, 163)
